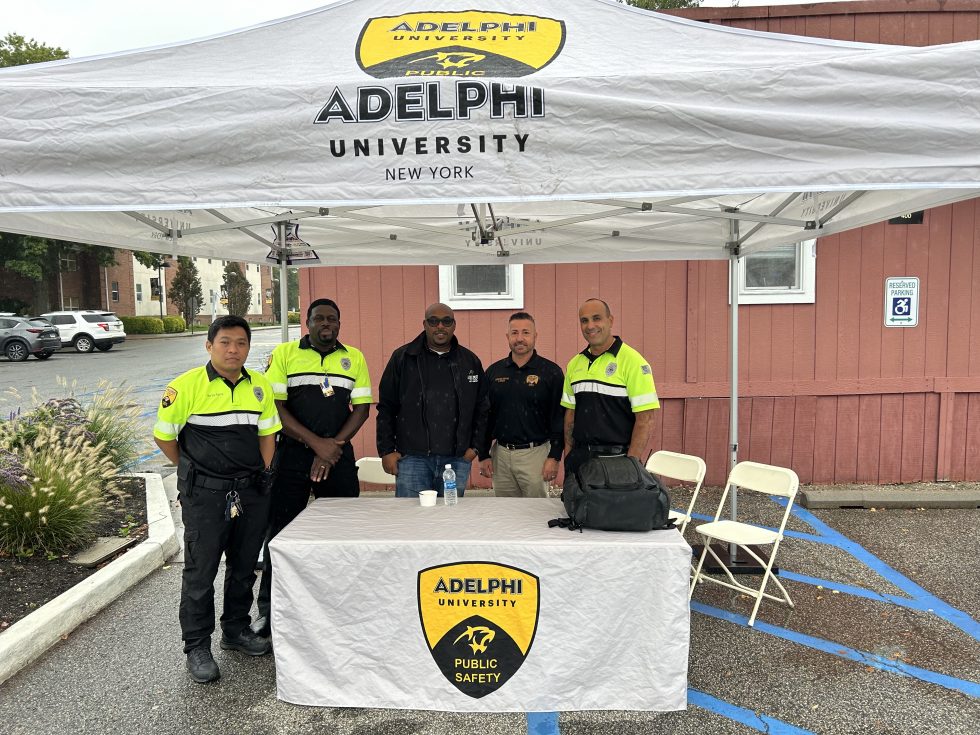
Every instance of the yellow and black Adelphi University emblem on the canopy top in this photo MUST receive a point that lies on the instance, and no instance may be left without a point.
(471, 43)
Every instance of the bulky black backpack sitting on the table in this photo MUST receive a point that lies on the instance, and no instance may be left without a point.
(615, 494)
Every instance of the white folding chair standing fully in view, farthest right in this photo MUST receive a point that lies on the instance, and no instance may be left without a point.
(761, 478)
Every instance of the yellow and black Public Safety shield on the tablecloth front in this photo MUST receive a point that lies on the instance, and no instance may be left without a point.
(479, 619)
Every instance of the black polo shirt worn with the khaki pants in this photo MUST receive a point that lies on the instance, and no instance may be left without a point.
(525, 404)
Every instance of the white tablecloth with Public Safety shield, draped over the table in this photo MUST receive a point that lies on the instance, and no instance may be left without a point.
(369, 603)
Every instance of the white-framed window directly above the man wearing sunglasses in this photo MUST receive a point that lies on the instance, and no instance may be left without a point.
(482, 286)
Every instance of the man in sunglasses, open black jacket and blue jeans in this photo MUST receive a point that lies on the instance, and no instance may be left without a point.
(432, 407)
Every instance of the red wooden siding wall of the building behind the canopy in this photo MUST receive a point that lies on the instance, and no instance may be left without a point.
(826, 388)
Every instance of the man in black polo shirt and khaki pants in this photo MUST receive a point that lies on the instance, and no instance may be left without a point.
(524, 431)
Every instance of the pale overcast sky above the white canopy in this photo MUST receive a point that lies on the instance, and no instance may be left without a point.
(88, 27)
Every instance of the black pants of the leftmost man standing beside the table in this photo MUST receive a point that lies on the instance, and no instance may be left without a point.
(207, 535)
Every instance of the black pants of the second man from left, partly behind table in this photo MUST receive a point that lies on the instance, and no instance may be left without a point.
(291, 494)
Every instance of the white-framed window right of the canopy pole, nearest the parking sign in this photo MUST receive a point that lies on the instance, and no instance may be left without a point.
(783, 275)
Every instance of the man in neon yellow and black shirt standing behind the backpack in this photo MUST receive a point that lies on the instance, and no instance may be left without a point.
(609, 395)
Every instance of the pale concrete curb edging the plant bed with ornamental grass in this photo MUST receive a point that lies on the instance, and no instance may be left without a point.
(28, 638)
